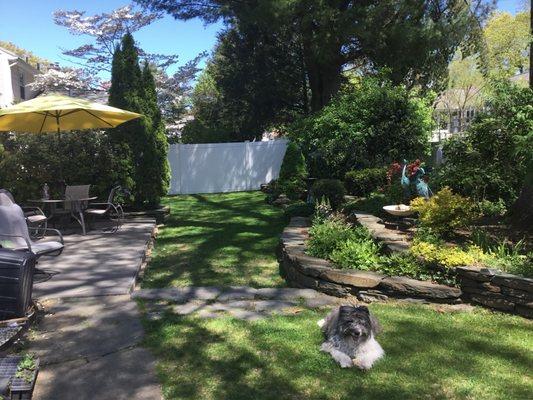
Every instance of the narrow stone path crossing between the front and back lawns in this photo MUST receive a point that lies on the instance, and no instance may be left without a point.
(239, 301)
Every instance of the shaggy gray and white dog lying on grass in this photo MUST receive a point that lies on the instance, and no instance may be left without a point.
(350, 336)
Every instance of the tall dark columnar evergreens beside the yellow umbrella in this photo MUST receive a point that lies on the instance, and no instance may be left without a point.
(144, 140)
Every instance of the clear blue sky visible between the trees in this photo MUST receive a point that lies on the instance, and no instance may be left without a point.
(29, 25)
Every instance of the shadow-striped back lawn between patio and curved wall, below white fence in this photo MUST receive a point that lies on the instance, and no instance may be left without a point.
(217, 240)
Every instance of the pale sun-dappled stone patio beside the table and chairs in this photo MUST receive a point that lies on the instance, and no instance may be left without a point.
(98, 264)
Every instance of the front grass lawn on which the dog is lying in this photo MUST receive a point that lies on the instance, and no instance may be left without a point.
(429, 355)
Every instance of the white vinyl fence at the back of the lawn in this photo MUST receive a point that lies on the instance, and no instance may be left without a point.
(224, 167)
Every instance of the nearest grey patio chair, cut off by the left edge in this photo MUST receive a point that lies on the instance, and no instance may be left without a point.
(14, 233)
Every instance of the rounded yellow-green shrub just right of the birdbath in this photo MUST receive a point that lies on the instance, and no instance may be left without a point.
(444, 212)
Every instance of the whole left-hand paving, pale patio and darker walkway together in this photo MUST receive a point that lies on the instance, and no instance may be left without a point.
(89, 339)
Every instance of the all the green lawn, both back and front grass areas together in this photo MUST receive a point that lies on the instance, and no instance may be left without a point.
(230, 240)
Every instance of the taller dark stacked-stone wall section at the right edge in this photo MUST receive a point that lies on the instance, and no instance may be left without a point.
(497, 290)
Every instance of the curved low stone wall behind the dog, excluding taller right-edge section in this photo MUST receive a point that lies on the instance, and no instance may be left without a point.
(302, 270)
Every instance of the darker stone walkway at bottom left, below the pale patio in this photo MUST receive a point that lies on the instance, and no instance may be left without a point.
(90, 349)
